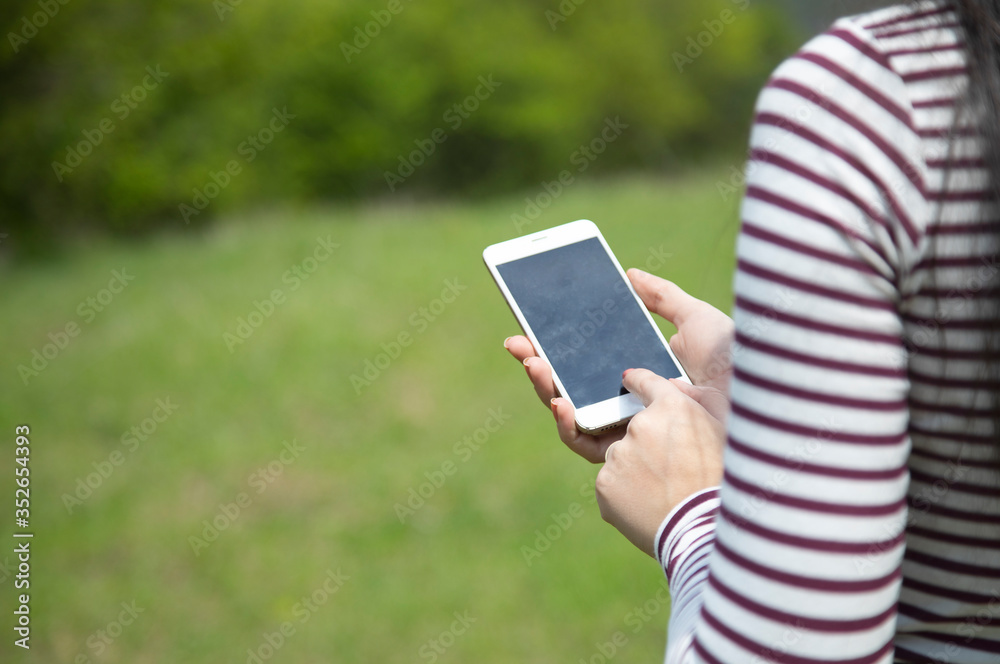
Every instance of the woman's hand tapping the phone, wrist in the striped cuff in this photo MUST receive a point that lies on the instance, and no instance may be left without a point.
(672, 450)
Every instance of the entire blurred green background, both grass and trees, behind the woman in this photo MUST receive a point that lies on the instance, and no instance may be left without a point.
(216, 217)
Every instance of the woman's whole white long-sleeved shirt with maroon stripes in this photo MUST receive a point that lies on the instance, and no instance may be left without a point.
(859, 516)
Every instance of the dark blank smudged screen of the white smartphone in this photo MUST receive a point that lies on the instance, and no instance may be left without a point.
(586, 320)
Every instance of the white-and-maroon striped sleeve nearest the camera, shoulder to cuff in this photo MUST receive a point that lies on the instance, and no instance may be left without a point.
(797, 557)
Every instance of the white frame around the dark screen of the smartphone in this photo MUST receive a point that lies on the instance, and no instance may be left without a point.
(605, 415)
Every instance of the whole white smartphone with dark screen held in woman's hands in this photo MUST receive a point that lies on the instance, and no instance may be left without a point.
(574, 302)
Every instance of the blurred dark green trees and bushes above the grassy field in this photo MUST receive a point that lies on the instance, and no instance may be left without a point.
(124, 116)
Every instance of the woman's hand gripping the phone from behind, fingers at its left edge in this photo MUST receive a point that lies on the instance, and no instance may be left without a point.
(702, 345)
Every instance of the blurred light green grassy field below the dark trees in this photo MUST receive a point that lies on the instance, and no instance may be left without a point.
(193, 490)
